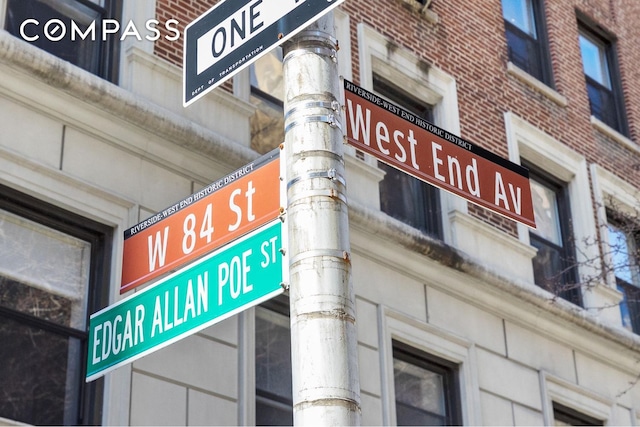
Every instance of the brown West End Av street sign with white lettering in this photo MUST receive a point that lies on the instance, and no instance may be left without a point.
(417, 147)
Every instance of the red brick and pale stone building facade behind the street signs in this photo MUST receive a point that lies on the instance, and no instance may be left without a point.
(462, 316)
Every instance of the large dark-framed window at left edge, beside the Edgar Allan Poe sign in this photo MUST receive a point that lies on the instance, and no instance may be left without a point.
(54, 272)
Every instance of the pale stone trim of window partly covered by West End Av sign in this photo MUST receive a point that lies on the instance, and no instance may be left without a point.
(428, 83)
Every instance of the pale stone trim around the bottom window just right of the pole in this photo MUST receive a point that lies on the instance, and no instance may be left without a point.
(431, 340)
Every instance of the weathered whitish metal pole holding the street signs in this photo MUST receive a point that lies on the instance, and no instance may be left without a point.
(326, 389)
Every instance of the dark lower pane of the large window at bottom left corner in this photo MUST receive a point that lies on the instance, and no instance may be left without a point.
(37, 385)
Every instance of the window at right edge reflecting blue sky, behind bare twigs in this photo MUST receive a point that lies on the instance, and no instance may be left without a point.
(623, 253)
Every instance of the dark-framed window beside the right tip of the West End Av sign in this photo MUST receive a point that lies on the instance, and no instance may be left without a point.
(554, 266)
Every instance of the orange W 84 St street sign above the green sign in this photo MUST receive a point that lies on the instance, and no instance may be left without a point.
(209, 218)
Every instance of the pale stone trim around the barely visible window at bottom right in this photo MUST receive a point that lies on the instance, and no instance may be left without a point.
(573, 396)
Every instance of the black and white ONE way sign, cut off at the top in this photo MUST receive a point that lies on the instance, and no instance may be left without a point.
(235, 33)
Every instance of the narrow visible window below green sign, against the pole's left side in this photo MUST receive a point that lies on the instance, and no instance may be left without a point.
(274, 401)
